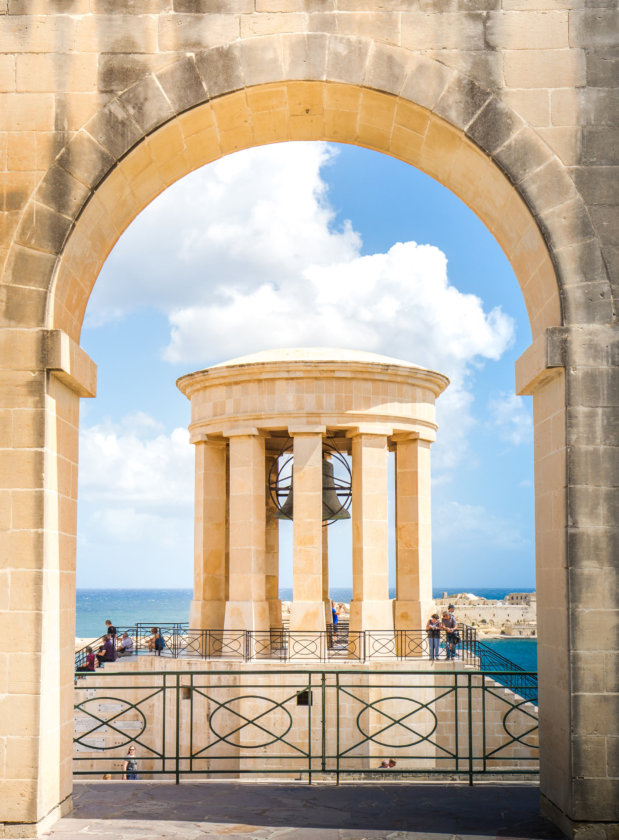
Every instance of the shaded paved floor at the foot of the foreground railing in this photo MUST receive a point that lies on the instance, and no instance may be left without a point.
(233, 811)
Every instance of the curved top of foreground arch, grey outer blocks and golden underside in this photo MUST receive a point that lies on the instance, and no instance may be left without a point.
(314, 86)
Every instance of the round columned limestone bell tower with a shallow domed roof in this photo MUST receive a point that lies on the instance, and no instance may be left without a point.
(311, 403)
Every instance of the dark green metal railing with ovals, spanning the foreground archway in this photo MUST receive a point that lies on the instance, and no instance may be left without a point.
(304, 723)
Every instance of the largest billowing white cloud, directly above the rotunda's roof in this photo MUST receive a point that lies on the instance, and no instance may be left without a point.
(244, 255)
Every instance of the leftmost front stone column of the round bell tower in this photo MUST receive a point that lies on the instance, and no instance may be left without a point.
(209, 588)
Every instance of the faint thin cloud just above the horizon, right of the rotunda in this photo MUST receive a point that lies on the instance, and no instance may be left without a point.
(473, 525)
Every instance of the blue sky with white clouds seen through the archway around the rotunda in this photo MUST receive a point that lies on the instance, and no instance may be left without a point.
(304, 244)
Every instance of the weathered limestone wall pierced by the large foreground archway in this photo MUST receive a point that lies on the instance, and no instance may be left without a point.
(509, 103)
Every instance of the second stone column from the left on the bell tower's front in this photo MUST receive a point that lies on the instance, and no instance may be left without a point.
(247, 607)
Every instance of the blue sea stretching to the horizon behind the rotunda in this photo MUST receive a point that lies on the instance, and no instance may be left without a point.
(125, 607)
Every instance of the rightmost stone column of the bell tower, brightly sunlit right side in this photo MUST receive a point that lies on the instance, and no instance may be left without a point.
(413, 604)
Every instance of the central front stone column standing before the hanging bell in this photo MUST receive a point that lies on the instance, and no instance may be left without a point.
(307, 612)
